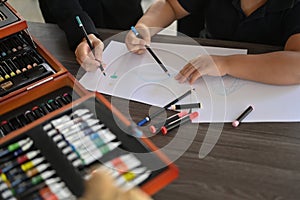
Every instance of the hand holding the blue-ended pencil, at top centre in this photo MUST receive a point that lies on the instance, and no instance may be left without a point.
(136, 44)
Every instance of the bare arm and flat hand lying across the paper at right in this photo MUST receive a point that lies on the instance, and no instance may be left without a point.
(280, 68)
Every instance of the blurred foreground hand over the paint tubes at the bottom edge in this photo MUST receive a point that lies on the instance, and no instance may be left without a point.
(101, 186)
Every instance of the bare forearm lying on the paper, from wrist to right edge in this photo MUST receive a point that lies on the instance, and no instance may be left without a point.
(281, 68)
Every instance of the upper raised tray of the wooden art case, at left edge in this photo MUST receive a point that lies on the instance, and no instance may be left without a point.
(24, 62)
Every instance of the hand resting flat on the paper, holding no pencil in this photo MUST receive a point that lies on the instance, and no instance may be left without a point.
(202, 65)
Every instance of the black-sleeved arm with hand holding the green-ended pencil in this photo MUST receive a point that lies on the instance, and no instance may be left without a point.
(64, 13)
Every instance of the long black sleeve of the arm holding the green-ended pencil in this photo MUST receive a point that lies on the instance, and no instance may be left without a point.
(63, 12)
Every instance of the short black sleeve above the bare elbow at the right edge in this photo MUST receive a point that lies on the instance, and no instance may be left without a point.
(292, 22)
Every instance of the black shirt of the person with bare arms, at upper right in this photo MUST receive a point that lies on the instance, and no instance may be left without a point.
(273, 23)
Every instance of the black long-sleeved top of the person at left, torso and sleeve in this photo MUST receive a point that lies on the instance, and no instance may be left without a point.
(113, 14)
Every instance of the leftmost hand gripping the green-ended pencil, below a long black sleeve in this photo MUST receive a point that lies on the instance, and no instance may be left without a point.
(85, 57)
